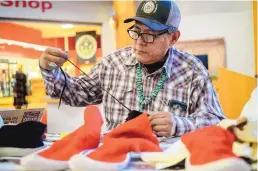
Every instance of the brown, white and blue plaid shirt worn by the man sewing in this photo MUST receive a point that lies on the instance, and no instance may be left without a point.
(187, 81)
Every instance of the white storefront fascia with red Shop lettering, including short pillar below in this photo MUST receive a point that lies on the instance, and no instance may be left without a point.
(57, 10)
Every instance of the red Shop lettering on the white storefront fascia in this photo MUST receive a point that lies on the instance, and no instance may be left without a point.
(42, 5)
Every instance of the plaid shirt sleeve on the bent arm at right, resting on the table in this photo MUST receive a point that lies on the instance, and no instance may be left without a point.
(205, 109)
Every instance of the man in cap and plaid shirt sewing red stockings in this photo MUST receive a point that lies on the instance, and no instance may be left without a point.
(150, 76)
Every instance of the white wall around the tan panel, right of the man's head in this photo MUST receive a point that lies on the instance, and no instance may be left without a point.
(237, 30)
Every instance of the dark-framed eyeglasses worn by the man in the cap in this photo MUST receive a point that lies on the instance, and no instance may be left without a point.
(146, 37)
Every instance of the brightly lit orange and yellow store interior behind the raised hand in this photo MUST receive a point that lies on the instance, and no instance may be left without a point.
(31, 39)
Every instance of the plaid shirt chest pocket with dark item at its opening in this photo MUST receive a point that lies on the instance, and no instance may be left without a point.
(175, 101)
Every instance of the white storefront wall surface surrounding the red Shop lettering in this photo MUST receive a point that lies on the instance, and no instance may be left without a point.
(77, 11)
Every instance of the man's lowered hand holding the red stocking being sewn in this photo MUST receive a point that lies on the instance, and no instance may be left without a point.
(162, 123)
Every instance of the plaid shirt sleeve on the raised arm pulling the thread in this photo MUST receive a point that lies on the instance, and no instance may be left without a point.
(79, 91)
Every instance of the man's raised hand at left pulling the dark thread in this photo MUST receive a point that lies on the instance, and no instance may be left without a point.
(50, 56)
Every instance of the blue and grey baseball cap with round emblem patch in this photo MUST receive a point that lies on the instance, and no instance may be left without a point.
(158, 15)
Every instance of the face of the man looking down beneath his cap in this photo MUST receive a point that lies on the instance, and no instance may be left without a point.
(149, 53)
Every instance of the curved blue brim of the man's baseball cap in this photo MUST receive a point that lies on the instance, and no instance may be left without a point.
(152, 24)
